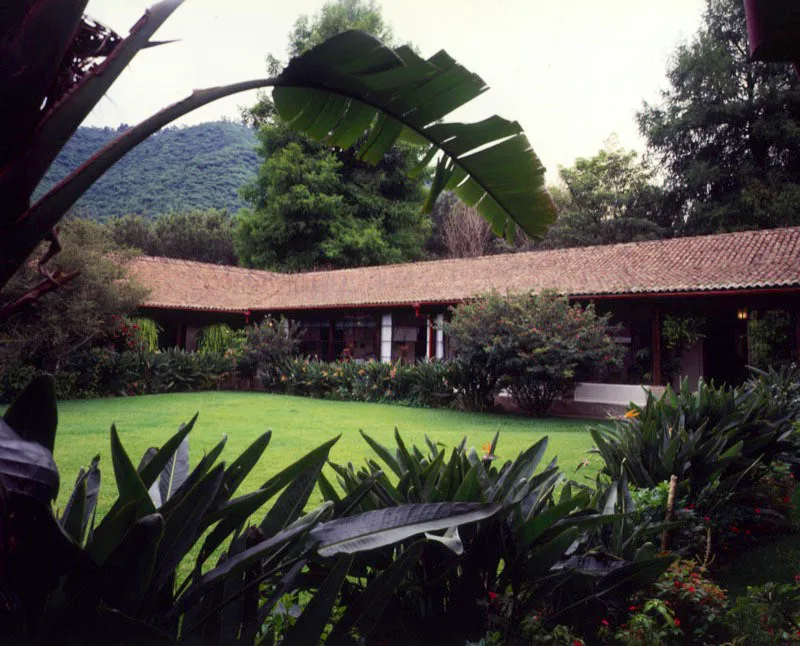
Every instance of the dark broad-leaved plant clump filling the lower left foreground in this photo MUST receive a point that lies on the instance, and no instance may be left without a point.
(80, 576)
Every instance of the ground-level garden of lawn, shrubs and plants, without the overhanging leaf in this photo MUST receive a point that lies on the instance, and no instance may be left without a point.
(367, 502)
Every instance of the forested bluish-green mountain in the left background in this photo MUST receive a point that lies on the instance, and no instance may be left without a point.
(178, 168)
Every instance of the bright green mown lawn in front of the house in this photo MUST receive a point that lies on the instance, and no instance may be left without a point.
(298, 424)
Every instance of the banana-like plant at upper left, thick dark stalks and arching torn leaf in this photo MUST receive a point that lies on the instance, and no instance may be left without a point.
(57, 64)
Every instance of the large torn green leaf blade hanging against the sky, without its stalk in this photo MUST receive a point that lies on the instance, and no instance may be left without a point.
(352, 83)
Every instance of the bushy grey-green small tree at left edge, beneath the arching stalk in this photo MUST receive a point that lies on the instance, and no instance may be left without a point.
(48, 333)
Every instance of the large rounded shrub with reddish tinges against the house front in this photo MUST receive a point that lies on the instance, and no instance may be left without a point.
(538, 346)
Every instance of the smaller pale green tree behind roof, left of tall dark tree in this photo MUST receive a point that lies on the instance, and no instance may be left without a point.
(606, 199)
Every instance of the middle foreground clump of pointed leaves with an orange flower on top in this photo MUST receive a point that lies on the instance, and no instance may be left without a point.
(526, 555)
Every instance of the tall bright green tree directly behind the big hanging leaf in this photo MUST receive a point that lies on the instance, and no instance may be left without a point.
(312, 206)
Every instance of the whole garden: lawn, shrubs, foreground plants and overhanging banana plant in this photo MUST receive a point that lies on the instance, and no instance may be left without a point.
(279, 515)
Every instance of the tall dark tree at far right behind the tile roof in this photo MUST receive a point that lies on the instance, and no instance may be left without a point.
(726, 131)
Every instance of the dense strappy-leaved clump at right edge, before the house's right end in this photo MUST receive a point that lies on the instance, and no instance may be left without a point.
(712, 439)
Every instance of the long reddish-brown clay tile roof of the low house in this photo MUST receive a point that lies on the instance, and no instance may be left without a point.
(747, 260)
